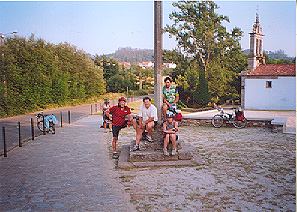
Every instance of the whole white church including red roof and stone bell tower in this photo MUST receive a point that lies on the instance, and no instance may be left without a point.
(266, 87)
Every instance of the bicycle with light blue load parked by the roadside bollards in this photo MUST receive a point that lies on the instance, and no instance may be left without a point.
(49, 124)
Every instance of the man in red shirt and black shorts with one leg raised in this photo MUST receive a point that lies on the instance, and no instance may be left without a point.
(119, 114)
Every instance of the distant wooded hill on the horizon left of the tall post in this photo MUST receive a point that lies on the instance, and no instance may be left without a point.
(128, 54)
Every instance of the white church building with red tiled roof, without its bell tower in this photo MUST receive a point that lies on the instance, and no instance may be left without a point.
(271, 87)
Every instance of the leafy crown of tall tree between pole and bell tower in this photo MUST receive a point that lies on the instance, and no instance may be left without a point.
(199, 31)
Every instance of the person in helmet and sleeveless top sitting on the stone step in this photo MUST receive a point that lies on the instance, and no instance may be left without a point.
(170, 127)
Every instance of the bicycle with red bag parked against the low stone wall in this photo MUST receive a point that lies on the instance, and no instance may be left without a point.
(236, 118)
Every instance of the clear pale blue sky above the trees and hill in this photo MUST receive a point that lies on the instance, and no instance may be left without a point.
(101, 27)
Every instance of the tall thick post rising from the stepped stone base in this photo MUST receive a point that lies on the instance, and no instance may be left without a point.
(158, 93)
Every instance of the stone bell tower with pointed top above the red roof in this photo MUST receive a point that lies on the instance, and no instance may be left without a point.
(256, 56)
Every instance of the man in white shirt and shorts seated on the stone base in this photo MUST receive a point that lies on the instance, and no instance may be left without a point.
(148, 118)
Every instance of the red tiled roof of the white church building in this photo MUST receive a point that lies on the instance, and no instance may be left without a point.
(275, 70)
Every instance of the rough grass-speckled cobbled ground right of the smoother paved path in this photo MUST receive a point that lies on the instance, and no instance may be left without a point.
(247, 169)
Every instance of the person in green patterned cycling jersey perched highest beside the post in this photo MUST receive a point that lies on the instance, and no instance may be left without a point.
(170, 95)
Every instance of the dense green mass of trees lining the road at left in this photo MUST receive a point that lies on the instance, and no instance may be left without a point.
(35, 74)
